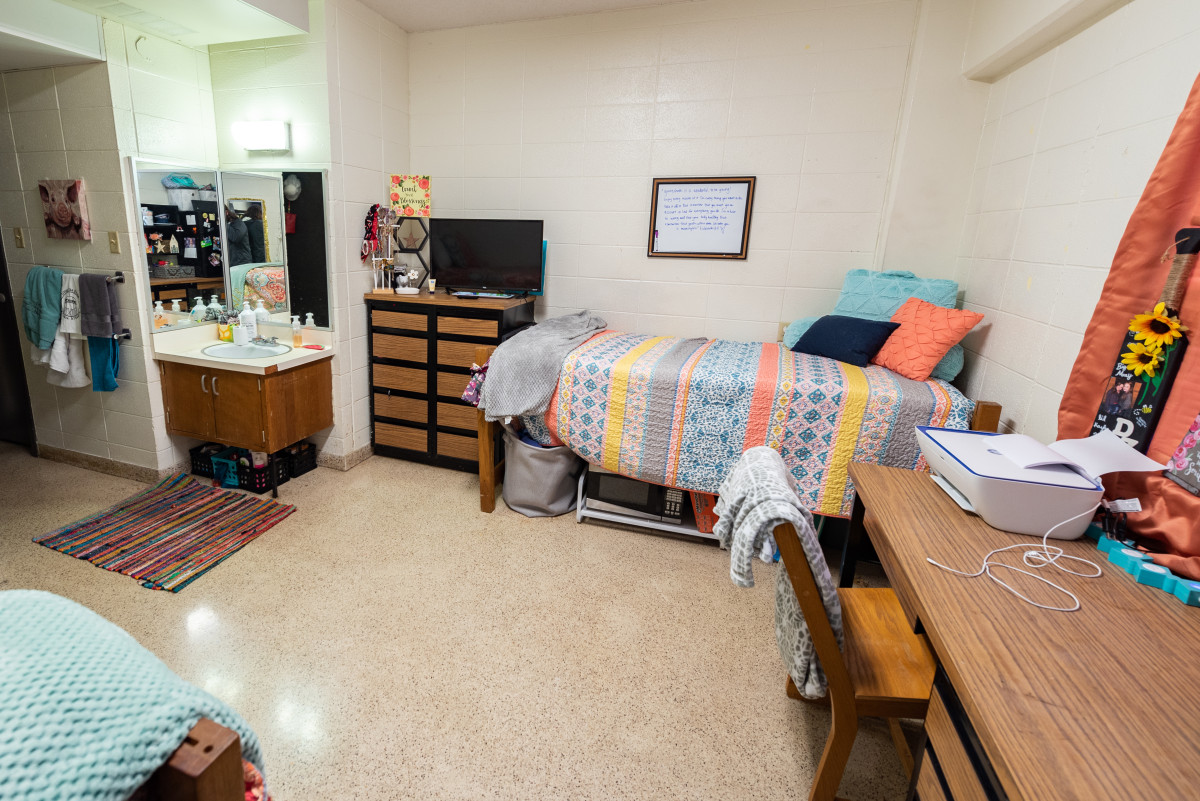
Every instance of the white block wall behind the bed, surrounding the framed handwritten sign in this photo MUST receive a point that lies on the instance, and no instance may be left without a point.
(568, 121)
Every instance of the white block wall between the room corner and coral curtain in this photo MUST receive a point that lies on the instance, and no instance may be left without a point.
(1070, 142)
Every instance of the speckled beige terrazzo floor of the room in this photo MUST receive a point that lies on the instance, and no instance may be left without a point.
(389, 641)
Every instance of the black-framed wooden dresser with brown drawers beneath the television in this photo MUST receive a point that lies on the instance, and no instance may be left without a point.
(422, 348)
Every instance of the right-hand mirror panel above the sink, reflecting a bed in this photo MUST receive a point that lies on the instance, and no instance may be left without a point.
(277, 245)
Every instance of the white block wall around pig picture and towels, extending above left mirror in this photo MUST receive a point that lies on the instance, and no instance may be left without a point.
(81, 123)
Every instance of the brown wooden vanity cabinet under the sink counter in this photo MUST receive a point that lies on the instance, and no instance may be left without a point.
(259, 413)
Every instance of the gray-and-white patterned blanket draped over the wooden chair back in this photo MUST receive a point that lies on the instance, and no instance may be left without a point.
(755, 498)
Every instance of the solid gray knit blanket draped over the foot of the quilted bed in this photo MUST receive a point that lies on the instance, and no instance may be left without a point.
(523, 374)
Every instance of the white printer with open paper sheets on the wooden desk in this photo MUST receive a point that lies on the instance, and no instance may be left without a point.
(1019, 485)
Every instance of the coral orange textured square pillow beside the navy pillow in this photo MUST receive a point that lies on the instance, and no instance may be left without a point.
(927, 333)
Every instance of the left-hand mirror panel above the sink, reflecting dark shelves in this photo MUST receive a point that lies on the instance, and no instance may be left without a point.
(178, 212)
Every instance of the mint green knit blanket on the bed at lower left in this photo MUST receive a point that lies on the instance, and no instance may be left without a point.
(86, 712)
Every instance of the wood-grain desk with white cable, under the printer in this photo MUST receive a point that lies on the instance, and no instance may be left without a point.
(1102, 703)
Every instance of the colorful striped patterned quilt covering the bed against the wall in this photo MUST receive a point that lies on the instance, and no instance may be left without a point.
(681, 412)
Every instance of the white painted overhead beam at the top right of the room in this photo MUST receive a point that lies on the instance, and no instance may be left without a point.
(1006, 34)
